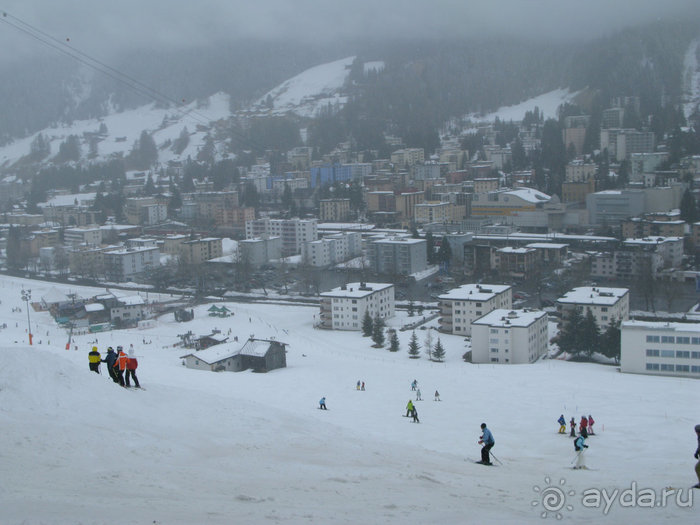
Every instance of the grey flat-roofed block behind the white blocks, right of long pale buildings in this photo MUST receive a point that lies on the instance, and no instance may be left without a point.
(398, 255)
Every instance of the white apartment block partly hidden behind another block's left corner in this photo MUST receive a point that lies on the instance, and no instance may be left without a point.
(460, 306)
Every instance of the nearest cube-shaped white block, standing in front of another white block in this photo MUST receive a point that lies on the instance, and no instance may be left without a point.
(509, 336)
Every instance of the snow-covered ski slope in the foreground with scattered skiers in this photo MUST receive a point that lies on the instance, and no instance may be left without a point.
(199, 447)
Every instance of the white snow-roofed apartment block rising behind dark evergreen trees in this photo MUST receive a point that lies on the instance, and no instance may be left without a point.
(606, 304)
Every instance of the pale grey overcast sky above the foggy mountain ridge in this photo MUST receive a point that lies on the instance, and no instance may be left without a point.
(98, 26)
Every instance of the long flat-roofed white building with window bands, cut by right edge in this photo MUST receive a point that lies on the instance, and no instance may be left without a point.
(660, 348)
